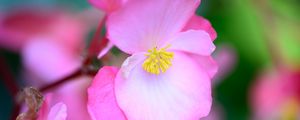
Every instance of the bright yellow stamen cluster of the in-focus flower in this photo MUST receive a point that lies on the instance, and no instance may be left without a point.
(158, 60)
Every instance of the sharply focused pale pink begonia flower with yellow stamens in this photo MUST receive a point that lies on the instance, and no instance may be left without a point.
(147, 85)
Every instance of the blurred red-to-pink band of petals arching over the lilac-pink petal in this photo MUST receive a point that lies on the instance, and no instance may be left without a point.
(18, 27)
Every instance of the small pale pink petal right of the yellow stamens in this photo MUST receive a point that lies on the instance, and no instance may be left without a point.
(193, 41)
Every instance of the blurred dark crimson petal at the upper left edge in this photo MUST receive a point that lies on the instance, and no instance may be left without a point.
(17, 26)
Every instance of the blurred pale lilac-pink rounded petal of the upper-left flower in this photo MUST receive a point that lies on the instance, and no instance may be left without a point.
(49, 60)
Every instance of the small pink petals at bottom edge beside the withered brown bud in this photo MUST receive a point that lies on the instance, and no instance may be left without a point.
(57, 112)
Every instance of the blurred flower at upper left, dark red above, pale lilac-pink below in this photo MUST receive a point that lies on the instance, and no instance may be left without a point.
(49, 52)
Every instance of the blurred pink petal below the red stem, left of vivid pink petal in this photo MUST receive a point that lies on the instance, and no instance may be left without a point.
(74, 94)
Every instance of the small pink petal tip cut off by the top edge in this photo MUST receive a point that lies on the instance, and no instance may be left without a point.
(108, 5)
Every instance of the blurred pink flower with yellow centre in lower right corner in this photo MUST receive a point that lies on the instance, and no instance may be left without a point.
(275, 95)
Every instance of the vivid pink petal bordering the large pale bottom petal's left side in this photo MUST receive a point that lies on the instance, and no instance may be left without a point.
(102, 103)
